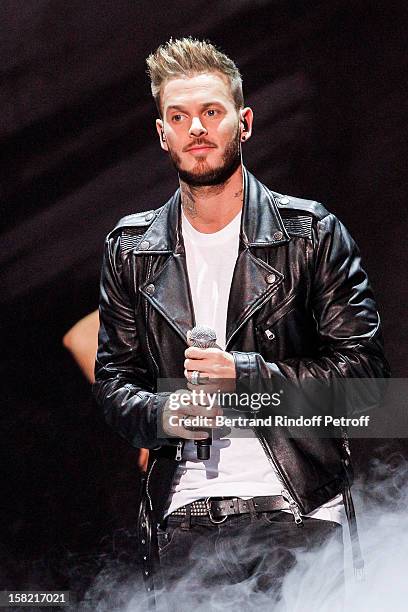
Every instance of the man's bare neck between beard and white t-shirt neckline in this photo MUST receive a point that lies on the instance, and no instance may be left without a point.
(209, 209)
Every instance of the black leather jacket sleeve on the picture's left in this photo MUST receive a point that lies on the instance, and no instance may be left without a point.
(123, 386)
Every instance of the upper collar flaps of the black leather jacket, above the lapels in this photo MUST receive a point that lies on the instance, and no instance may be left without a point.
(261, 223)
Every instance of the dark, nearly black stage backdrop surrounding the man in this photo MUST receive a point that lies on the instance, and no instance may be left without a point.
(327, 82)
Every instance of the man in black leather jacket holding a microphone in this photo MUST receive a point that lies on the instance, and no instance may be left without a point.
(279, 280)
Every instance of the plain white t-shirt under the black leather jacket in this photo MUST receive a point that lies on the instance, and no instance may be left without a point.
(238, 466)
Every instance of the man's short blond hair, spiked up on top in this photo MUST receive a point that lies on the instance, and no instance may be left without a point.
(187, 57)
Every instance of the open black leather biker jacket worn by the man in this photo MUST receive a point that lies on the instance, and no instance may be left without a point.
(298, 276)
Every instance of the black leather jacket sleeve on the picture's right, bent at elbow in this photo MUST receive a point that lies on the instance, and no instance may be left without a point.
(346, 317)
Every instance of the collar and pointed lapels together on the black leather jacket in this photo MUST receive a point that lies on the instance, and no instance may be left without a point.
(254, 280)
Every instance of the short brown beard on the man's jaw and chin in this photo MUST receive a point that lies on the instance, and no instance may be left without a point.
(205, 176)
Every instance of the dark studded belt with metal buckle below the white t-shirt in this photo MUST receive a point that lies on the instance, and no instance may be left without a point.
(221, 508)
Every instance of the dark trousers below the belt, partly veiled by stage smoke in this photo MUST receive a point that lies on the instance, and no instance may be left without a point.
(263, 562)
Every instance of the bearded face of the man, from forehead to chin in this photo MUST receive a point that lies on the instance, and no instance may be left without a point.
(200, 128)
